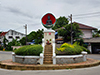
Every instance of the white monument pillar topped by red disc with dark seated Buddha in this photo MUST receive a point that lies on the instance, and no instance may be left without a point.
(49, 21)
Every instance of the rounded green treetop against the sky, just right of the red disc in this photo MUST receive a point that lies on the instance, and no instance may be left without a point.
(61, 21)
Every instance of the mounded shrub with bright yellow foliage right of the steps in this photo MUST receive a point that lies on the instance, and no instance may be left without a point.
(69, 49)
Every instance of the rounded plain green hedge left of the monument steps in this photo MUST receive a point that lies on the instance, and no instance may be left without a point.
(29, 50)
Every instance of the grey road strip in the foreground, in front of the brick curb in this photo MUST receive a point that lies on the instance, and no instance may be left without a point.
(81, 71)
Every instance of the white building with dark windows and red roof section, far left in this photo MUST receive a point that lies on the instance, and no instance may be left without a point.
(10, 35)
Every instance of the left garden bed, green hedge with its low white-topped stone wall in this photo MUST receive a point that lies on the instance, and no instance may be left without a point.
(29, 54)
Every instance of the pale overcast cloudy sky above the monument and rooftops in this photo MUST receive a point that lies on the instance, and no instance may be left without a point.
(14, 14)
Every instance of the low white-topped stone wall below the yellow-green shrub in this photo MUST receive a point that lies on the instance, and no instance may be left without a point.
(69, 59)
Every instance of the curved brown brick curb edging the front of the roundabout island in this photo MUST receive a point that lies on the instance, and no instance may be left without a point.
(48, 67)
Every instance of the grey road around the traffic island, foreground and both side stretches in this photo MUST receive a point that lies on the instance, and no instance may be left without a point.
(81, 71)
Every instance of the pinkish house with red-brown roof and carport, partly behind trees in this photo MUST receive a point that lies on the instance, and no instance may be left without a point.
(93, 43)
